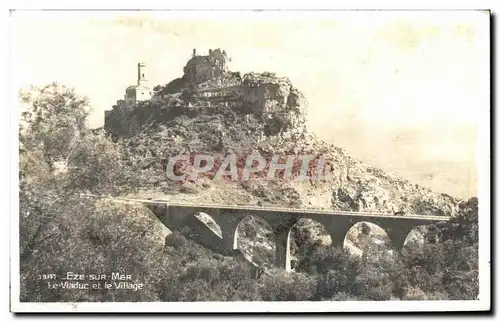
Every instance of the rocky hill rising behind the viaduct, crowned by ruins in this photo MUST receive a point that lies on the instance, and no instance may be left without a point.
(214, 111)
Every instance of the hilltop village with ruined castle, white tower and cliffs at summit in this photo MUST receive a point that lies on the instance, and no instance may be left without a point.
(207, 82)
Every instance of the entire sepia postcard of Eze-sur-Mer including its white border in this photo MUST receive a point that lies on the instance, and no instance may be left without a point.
(250, 161)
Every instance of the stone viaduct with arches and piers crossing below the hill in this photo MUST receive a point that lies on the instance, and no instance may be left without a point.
(179, 215)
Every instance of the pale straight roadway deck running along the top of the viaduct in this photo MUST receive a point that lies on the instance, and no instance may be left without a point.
(287, 210)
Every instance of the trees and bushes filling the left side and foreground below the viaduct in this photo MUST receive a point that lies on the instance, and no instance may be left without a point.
(62, 231)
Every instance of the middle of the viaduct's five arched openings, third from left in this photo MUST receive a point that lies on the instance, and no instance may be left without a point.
(307, 238)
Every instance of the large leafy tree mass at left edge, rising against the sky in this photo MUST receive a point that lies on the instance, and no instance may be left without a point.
(53, 128)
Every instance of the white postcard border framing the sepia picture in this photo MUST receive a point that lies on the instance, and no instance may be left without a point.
(483, 160)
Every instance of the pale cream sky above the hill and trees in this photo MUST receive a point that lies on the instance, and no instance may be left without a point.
(399, 90)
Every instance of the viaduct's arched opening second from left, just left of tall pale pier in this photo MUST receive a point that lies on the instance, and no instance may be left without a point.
(255, 239)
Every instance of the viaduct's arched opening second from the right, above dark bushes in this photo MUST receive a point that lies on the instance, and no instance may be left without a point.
(365, 238)
